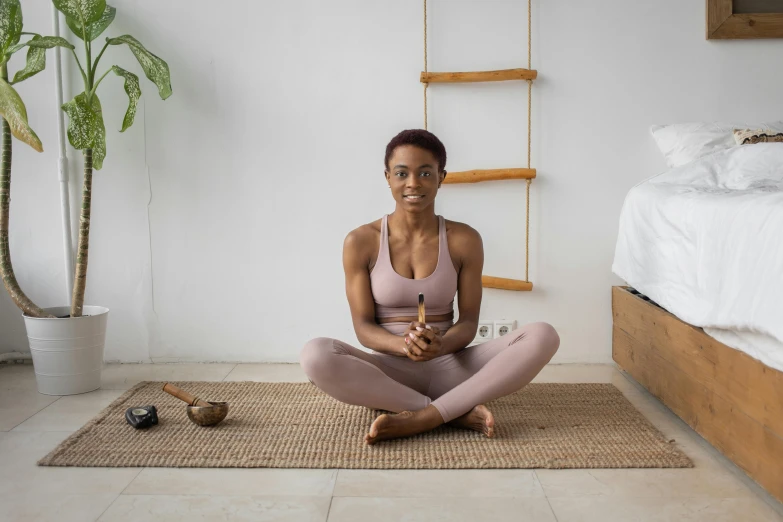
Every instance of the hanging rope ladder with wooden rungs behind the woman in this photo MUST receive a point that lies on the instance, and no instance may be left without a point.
(475, 176)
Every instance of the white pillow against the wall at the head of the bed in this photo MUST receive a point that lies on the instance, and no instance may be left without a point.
(682, 143)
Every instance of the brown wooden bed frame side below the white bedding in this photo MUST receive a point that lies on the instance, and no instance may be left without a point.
(728, 397)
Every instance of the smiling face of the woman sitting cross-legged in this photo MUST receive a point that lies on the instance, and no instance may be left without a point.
(413, 176)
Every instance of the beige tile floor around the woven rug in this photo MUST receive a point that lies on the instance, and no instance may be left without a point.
(32, 424)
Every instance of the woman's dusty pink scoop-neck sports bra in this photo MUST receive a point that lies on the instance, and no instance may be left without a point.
(396, 295)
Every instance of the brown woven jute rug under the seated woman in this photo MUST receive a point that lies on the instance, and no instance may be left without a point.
(295, 425)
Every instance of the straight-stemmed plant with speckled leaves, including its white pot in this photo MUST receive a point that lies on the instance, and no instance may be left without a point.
(67, 346)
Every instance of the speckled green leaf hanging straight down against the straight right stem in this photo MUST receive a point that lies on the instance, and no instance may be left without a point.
(85, 127)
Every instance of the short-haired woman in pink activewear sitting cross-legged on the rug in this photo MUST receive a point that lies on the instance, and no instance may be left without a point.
(421, 371)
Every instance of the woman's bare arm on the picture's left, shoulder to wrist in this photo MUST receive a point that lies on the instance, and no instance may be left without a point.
(356, 260)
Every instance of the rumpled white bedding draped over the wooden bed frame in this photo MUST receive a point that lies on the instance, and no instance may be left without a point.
(705, 241)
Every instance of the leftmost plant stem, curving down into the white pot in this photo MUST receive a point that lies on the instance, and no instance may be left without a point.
(6, 268)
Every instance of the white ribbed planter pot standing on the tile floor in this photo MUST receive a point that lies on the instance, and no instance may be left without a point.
(68, 353)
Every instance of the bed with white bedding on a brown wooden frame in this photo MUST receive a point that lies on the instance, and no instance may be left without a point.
(700, 324)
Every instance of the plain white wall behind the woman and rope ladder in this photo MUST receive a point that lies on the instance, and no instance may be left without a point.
(218, 218)
